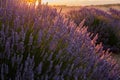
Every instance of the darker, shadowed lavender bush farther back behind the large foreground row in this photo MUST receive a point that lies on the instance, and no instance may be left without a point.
(105, 24)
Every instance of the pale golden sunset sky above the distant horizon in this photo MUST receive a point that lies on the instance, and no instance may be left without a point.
(79, 2)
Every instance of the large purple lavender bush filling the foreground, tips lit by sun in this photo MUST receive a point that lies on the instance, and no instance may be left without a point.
(37, 43)
